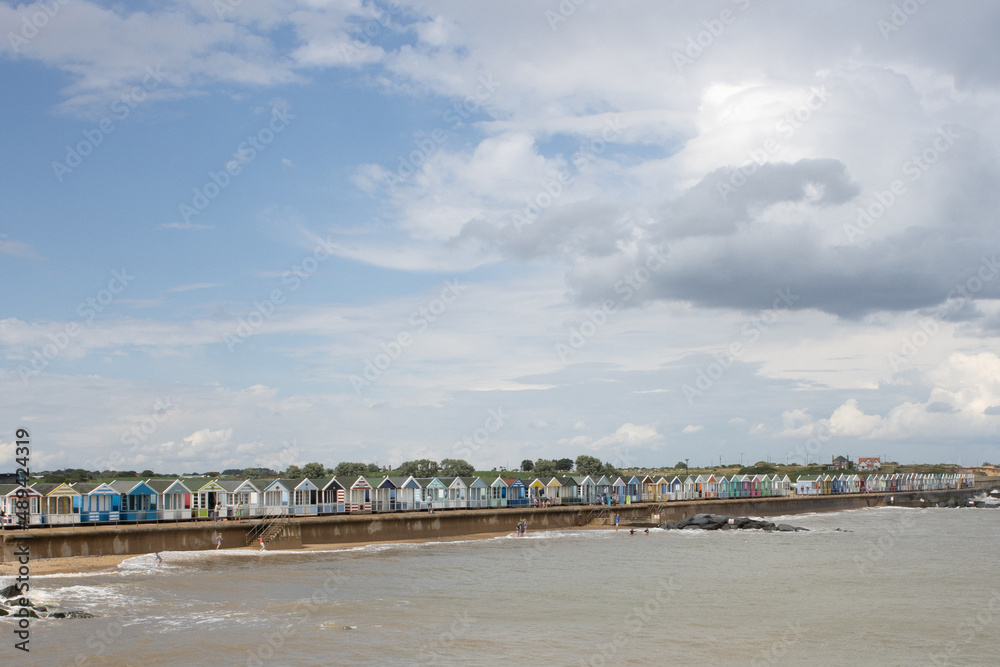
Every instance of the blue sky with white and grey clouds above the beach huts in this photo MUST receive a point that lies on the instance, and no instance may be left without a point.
(262, 233)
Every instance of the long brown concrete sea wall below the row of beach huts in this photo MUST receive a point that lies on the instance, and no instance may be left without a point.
(353, 529)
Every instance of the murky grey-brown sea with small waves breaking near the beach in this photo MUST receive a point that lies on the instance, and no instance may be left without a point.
(886, 586)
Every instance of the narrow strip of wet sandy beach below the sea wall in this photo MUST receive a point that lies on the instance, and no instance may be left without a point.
(71, 565)
